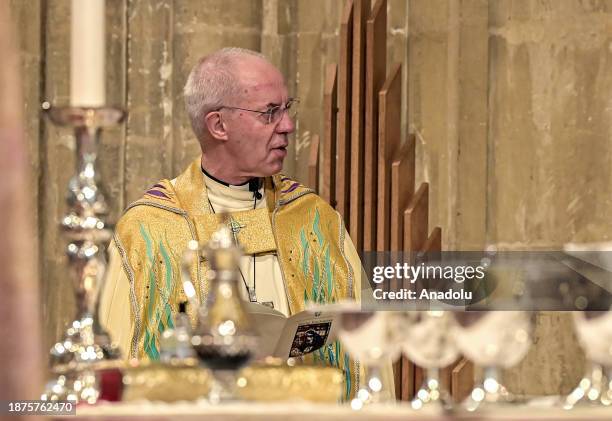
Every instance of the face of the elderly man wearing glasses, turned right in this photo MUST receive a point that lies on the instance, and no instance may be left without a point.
(258, 148)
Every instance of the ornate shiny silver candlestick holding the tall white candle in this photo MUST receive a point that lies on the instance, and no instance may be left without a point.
(86, 346)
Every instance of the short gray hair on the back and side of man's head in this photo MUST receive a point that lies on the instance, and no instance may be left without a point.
(211, 82)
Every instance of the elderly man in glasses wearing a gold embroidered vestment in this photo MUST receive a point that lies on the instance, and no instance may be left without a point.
(296, 246)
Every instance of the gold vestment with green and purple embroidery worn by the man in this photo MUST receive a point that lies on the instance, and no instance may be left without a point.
(317, 260)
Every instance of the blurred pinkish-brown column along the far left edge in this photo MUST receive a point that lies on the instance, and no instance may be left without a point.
(21, 363)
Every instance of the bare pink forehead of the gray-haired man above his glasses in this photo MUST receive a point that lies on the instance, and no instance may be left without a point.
(260, 82)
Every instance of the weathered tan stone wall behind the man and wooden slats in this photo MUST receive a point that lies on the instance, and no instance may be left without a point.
(509, 100)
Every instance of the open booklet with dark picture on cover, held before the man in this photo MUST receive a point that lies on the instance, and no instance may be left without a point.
(284, 337)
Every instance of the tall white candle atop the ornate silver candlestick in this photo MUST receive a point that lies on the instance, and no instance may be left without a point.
(87, 54)
